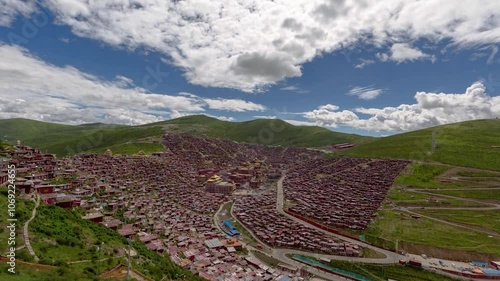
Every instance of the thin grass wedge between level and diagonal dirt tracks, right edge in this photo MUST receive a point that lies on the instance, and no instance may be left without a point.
(486, 219)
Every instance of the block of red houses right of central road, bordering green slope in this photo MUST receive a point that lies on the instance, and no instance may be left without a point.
(340, 192)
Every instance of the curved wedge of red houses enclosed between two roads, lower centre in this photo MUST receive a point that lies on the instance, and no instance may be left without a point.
(259, 214)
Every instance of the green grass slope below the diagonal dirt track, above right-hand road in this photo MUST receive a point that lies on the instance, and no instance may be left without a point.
(392, 226)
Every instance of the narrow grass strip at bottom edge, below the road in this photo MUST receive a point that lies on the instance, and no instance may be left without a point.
(390, 272)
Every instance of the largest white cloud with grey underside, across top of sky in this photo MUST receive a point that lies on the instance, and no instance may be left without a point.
(251, 44)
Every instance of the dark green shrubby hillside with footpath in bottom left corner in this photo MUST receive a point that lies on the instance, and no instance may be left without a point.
(61, 237)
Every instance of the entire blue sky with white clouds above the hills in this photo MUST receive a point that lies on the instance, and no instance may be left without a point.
(337, 64)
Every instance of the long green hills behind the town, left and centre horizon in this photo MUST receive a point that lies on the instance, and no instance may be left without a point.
(67, 139)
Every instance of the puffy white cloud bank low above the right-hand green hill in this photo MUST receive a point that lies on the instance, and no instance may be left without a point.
(430, 109)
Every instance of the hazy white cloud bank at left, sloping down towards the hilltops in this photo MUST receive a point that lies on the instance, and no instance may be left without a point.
(32, 88)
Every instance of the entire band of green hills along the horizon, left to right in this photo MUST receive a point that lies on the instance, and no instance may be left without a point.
(469, 143)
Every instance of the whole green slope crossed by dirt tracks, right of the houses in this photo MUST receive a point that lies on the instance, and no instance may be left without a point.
(474, 238)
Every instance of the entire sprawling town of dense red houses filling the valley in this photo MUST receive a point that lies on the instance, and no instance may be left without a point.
(167, 199)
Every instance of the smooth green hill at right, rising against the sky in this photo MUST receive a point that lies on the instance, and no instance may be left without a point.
(462, 144)
